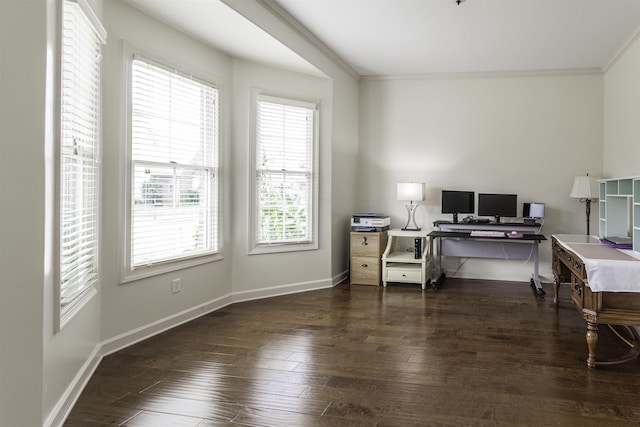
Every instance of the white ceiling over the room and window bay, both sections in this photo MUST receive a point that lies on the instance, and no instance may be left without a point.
(415, 37)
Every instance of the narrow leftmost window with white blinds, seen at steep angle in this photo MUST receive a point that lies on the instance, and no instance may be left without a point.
(79, 150)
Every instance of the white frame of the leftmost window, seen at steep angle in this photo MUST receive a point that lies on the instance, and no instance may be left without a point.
(64, 314)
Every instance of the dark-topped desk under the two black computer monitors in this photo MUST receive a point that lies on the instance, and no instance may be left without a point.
(456, 240)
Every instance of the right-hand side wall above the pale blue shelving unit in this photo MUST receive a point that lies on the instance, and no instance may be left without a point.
(622, 115)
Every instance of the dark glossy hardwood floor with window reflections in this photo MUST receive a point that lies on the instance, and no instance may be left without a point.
(474, 353)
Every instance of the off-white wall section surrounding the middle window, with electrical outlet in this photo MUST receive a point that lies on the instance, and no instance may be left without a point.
(127, 307)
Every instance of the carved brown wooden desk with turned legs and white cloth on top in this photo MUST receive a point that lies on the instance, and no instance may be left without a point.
(614, 303)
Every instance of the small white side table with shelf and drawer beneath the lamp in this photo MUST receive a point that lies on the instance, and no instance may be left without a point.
(401, 264)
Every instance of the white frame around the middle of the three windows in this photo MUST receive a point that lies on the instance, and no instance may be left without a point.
(129, 272)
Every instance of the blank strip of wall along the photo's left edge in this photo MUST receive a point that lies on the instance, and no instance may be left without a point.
(23, 138)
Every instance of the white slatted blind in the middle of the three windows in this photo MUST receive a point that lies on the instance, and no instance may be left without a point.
(174, 153)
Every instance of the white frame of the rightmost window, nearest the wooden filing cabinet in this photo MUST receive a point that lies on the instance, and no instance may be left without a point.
(265, 248)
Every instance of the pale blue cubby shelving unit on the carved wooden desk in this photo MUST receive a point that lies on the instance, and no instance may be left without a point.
(619, 209)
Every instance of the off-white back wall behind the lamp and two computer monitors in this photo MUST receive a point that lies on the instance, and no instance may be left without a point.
(528, 135)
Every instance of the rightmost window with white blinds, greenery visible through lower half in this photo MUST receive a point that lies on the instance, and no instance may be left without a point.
(284, 194)
